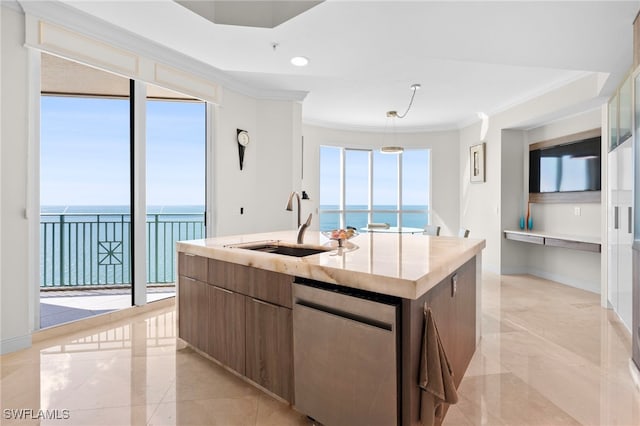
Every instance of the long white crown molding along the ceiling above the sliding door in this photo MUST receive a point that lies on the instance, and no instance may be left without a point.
(79, 21)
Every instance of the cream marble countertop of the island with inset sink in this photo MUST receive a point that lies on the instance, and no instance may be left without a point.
(403, 265)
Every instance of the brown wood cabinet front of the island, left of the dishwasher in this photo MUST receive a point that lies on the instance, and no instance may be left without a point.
(241, 317)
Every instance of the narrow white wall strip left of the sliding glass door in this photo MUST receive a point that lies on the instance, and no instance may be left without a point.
(14, 285)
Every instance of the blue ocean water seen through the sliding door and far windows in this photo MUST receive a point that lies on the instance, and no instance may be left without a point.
(90, 245)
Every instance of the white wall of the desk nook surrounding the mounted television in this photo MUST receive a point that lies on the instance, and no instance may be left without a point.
(572, 267)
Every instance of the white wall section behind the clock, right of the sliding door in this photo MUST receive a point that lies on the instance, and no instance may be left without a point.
(262, 187)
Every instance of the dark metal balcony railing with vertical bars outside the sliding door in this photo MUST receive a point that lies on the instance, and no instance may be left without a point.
(78, 249)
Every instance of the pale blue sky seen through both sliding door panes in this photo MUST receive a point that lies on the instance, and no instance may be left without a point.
(85, 152)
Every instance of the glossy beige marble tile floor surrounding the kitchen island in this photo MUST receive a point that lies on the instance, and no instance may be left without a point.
(549, 355)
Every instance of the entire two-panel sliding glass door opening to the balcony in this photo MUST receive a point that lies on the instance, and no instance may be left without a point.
(89, 156)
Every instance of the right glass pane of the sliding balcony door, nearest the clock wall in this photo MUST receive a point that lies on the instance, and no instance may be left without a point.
(175, 175)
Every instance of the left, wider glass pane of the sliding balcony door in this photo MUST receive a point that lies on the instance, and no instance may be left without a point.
(85, 227)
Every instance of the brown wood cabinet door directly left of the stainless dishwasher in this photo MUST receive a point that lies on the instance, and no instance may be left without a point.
(269, 338)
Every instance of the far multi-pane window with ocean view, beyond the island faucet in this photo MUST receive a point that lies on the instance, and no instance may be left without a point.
(360, 186)
